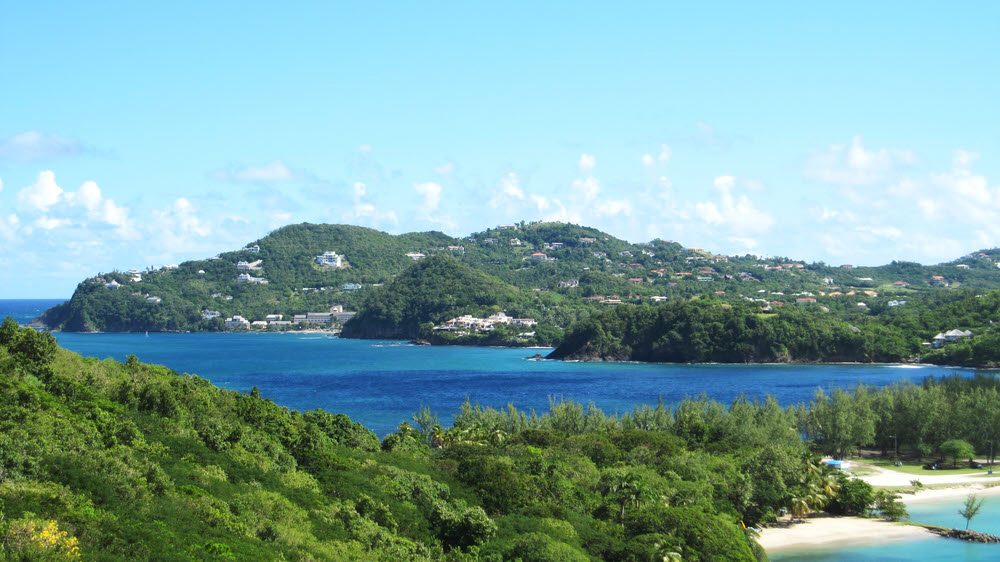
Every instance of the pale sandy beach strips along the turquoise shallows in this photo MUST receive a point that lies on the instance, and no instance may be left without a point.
(824, 532)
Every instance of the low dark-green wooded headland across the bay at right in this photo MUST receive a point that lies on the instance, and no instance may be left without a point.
(712, 330)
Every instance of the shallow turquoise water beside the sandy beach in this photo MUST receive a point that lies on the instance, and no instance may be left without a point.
(944, 513)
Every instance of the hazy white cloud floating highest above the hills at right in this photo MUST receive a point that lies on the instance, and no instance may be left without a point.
(854, 165)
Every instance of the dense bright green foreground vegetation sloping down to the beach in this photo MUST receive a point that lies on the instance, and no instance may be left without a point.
(129, 461)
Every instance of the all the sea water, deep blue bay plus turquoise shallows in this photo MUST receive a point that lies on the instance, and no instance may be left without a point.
(381, 383)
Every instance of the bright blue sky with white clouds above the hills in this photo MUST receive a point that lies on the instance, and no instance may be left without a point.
(134, 134)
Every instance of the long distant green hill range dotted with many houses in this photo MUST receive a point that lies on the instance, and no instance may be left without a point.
(571, 270)
